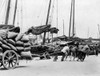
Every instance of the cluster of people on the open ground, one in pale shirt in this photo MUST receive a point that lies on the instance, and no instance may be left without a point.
(77, 51)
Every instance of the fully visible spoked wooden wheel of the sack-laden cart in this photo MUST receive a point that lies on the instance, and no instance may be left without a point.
(10, 59)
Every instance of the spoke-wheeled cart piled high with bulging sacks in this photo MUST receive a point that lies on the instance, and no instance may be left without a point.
(13, 46)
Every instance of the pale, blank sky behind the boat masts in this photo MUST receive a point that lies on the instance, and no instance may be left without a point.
(34, 12)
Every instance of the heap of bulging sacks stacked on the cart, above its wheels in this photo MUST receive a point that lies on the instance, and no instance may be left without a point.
(10, 40)
